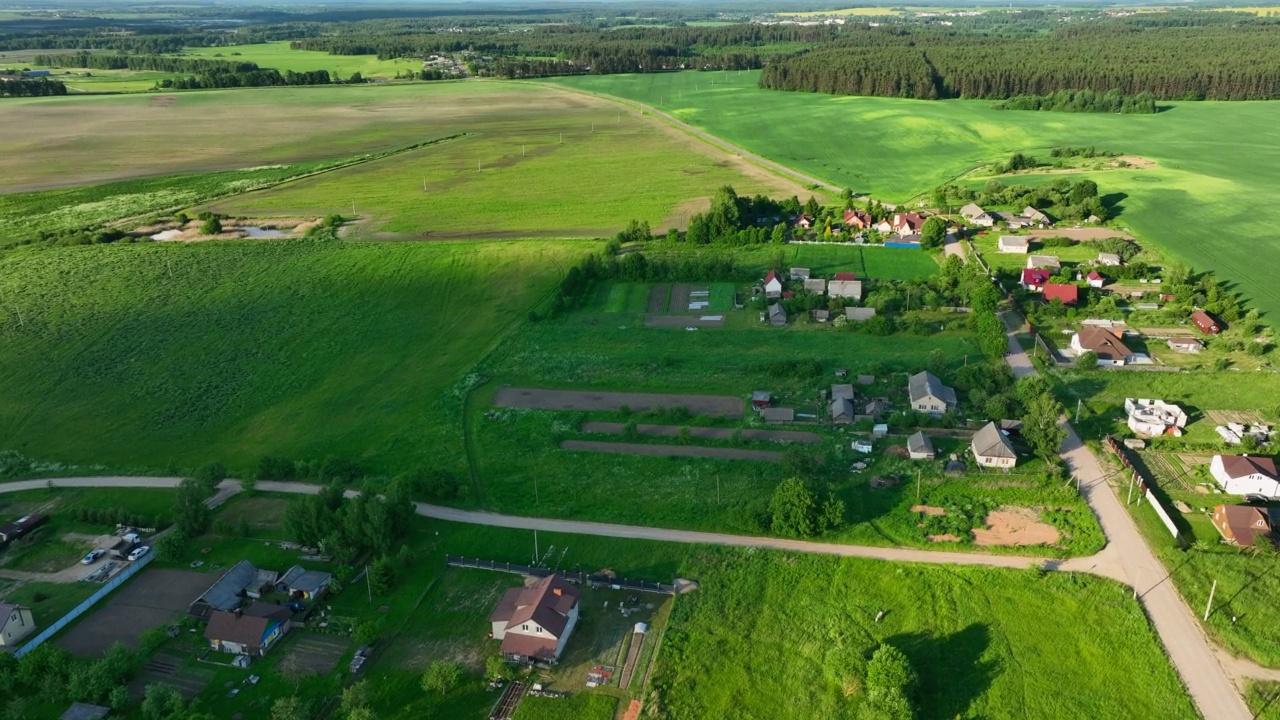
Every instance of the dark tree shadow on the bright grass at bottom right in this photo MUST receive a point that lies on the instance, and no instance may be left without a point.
(952, 669)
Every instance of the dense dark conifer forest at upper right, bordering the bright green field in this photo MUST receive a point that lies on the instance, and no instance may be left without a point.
(1203, 63)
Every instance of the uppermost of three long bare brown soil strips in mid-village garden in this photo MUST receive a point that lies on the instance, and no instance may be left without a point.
(537, 399)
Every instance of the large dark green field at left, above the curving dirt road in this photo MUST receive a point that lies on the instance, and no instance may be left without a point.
(145, 356)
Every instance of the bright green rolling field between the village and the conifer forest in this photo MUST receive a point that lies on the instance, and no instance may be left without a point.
(1208, 202)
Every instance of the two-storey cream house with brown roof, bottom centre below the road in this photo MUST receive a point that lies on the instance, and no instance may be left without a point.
(534, 623)
